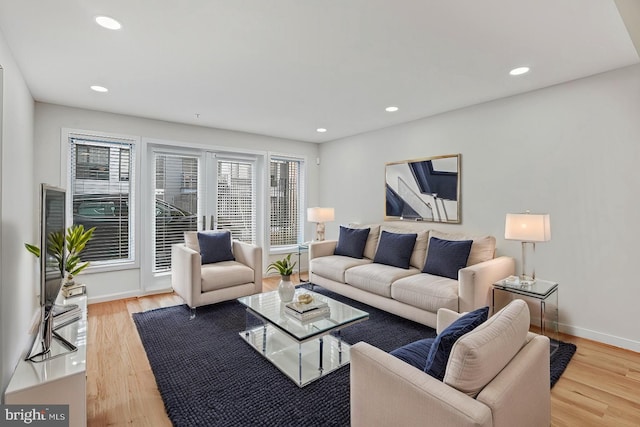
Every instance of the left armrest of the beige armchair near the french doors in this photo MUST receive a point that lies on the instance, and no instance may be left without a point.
(185, 273)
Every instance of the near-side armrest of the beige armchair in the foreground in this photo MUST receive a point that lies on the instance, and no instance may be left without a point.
(387, 391)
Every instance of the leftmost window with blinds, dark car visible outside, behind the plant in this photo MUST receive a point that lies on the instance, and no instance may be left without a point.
(102, 196)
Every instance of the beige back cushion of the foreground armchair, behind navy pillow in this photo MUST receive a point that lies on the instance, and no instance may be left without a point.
(479, 356)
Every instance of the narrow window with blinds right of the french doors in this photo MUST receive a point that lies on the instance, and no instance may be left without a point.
(286, 197)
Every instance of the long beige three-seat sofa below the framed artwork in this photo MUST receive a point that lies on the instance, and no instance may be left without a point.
(410, 293)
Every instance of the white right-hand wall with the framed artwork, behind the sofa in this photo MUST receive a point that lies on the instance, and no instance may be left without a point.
(571, 150)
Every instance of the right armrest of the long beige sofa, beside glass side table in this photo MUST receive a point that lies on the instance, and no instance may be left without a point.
(475, 282)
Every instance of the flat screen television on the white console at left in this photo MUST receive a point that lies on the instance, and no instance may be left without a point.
(52, 246)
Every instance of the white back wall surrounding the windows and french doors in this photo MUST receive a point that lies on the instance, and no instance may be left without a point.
(51, 119)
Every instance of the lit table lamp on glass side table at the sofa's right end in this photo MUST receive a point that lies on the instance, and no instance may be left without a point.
(529, 228)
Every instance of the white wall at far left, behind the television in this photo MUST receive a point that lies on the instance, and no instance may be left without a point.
(19, 208)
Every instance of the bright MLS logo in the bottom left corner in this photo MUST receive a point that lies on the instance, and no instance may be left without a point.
(35, 415)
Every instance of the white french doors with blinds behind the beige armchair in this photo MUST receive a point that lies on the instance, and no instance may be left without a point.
(198, 190)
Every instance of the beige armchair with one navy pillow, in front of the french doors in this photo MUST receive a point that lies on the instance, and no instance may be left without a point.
(202, 284)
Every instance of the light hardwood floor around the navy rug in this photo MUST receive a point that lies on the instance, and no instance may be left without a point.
(601, 386)
